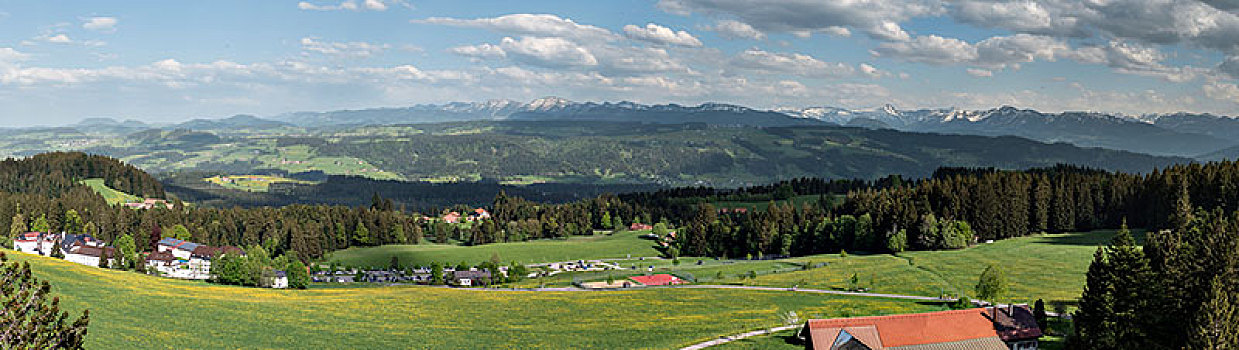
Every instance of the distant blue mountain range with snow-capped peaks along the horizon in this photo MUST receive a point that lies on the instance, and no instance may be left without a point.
(1181, 135)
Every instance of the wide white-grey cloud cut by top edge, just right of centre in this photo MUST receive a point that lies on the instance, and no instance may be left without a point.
(878, 18)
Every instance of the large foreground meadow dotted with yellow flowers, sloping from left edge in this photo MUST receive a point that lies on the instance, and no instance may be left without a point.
(132, 311)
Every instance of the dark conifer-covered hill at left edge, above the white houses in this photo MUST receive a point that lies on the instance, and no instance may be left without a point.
(56, 173)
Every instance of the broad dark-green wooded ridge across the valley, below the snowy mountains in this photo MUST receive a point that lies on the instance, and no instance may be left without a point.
(703, 155)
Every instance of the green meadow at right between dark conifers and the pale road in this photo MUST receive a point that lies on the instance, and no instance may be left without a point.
(1049, 267)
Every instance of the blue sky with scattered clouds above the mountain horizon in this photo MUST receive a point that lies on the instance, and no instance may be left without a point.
(170, 61)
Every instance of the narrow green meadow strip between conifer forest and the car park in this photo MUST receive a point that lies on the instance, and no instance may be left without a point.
(602, 246)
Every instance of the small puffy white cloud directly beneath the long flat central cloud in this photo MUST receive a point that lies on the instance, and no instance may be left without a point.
(553, 53)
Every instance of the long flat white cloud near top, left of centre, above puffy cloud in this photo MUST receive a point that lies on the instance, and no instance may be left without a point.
(531, 25)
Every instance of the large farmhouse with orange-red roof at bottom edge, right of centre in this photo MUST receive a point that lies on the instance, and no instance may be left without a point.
(972, 330)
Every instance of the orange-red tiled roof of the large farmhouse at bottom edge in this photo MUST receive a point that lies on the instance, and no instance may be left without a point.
(908, 330)
